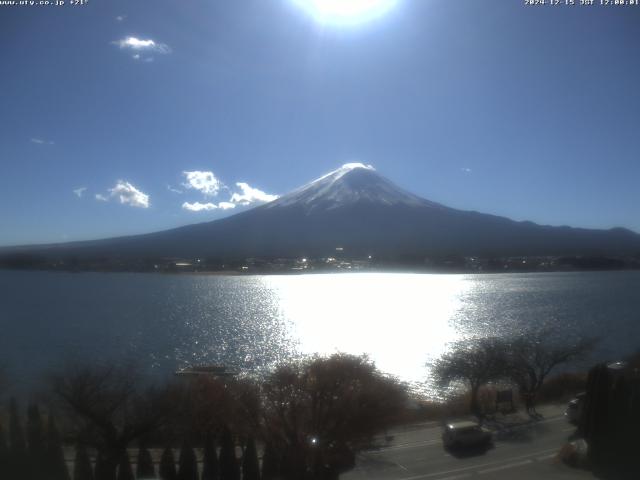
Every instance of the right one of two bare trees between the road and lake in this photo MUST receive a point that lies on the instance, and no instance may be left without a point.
(533, 356)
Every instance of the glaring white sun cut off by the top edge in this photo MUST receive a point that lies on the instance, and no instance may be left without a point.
(345, 11)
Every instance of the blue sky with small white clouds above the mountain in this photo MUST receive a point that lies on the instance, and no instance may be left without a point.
(527, 112)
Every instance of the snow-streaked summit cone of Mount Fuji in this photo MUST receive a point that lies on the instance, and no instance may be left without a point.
(353, 183)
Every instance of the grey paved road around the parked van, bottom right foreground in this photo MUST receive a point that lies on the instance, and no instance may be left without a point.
(521, 450)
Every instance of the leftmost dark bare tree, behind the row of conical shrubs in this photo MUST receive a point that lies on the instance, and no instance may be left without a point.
(109, 410)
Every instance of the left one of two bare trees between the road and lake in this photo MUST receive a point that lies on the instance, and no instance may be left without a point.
(475, 362)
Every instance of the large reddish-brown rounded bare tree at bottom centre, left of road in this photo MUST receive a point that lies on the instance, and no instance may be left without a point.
(318, 413)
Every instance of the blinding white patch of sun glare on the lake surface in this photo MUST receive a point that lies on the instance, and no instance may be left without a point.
(399, 320)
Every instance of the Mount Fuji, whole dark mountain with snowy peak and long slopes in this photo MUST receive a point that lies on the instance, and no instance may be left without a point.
(356, 209)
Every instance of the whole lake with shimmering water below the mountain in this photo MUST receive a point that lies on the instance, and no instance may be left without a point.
(164, 322)
